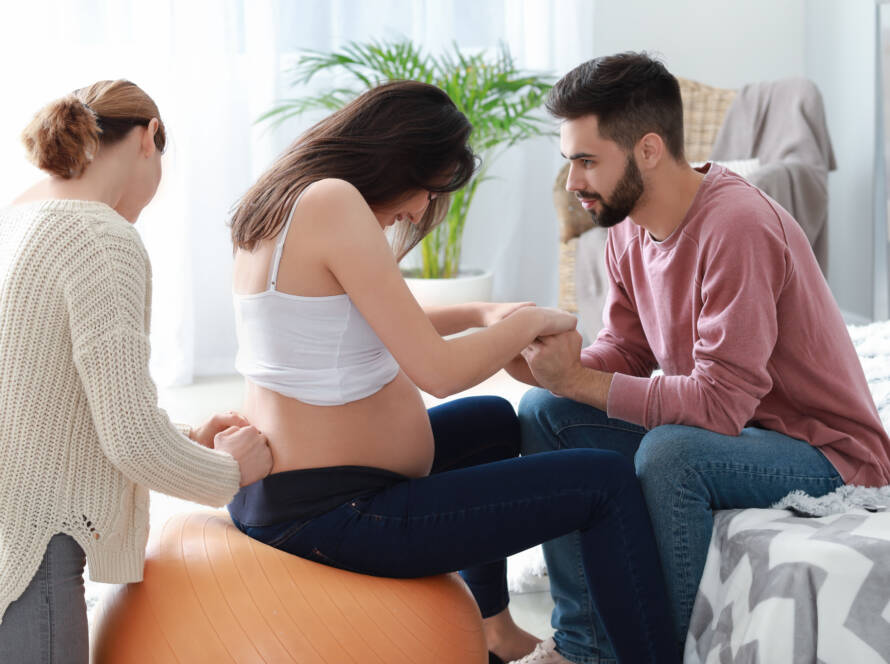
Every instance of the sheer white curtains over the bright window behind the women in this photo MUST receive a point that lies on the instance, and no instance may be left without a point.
(213, 66)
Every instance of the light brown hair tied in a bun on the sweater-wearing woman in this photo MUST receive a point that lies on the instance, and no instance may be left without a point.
(65, 135)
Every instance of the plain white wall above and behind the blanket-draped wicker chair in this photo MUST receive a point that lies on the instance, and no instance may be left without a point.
(728, 43)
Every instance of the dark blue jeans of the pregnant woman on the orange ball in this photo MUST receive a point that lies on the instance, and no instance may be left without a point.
(481, 503)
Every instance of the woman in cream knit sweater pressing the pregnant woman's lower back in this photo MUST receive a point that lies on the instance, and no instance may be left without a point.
(81, 437)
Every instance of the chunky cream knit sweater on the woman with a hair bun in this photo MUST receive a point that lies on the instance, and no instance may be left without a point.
(82, 439)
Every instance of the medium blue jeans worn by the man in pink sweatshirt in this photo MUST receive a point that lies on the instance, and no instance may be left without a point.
(686, 473)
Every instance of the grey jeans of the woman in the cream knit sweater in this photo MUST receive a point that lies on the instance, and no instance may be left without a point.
(48, 623)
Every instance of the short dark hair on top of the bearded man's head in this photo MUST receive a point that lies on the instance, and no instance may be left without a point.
(630, 93)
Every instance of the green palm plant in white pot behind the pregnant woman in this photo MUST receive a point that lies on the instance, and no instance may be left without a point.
(500, 101)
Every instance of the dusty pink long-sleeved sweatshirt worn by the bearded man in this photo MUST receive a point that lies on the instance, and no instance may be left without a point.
(735, 311)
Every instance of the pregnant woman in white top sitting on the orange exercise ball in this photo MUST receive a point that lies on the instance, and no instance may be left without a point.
(334, 349)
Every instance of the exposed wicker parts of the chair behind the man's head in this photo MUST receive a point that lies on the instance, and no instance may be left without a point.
(704, 108)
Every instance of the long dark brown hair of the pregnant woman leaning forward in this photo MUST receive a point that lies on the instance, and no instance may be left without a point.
(396, 138)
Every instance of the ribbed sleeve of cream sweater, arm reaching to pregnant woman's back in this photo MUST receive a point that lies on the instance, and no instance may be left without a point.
(106, 289)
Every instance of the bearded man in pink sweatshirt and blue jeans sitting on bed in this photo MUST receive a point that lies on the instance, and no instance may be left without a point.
(715, 284)
